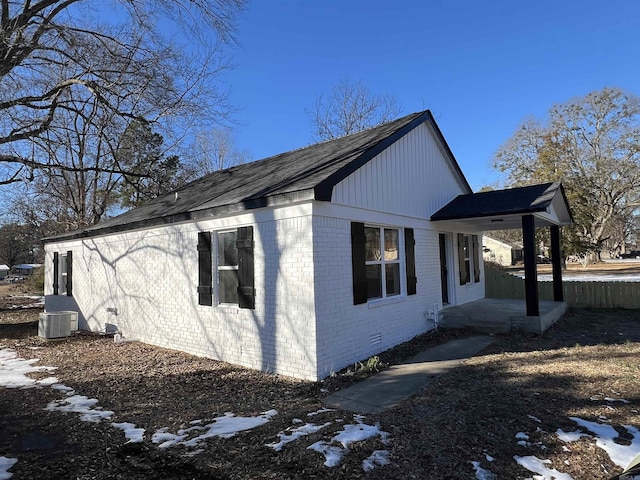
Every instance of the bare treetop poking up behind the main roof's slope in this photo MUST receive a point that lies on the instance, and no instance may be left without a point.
(350, 108)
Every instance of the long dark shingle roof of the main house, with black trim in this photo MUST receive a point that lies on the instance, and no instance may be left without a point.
(306, 173)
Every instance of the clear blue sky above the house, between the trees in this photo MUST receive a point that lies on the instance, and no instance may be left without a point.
(480, 67)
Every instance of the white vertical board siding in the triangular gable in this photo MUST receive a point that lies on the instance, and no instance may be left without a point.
(413, 177)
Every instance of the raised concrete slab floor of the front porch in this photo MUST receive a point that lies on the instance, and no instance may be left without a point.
(497, 315)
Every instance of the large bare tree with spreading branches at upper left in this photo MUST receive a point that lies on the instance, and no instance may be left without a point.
(55, 53)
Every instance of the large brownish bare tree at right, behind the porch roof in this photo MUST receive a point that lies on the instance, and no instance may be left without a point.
(591, 144)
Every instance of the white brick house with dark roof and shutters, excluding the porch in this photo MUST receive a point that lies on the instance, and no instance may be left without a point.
(299, 264)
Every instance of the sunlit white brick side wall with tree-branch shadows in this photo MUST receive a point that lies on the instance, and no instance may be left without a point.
(151, 278)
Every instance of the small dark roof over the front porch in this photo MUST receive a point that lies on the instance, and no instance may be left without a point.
(521, 200)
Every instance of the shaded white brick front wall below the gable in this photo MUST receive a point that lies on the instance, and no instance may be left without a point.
(347, 333)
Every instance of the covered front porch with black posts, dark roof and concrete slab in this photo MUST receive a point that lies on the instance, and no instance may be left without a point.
(526, 208)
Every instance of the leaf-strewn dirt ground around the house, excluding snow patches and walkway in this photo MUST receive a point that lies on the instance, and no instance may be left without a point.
(471, 414)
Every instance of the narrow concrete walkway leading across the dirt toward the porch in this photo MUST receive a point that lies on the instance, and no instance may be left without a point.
(389, 387)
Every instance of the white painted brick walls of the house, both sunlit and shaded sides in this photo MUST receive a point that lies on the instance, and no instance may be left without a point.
(305, 324)
